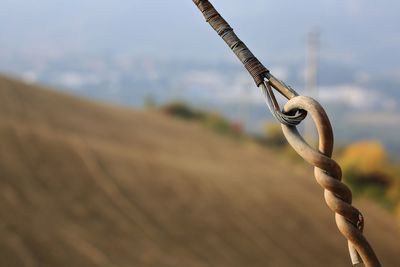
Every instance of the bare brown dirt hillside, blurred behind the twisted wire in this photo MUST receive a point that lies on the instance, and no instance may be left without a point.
(87, 184)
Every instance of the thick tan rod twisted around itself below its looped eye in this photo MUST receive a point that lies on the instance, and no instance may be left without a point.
(328, 174)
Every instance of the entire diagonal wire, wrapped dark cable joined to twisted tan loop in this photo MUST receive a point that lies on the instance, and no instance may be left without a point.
(327, 172)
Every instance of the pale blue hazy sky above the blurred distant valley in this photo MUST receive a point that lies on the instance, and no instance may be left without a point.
(364, 33)
